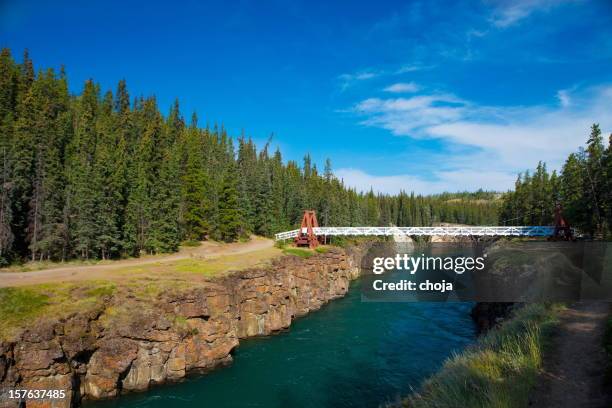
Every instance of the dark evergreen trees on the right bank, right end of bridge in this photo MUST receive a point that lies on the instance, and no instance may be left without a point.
(583, 188)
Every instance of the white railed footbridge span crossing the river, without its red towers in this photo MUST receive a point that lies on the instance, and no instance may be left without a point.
(422, 231)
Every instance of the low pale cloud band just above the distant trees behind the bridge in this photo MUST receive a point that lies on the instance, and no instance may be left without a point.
(442, 181)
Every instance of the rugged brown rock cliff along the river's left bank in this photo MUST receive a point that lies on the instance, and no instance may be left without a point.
(129, 344)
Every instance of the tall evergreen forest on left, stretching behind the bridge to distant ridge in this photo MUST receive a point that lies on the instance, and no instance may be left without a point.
(101, 175)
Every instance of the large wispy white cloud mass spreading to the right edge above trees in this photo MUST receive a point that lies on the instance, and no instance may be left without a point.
(502, 140)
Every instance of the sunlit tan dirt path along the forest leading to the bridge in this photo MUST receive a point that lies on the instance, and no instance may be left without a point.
(208, 250)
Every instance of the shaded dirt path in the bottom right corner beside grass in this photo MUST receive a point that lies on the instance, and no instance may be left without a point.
(574, 367)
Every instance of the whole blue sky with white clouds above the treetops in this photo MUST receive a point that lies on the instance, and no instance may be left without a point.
(424, 96)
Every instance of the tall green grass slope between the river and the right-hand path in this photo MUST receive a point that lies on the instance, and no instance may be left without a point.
(499, 371)
